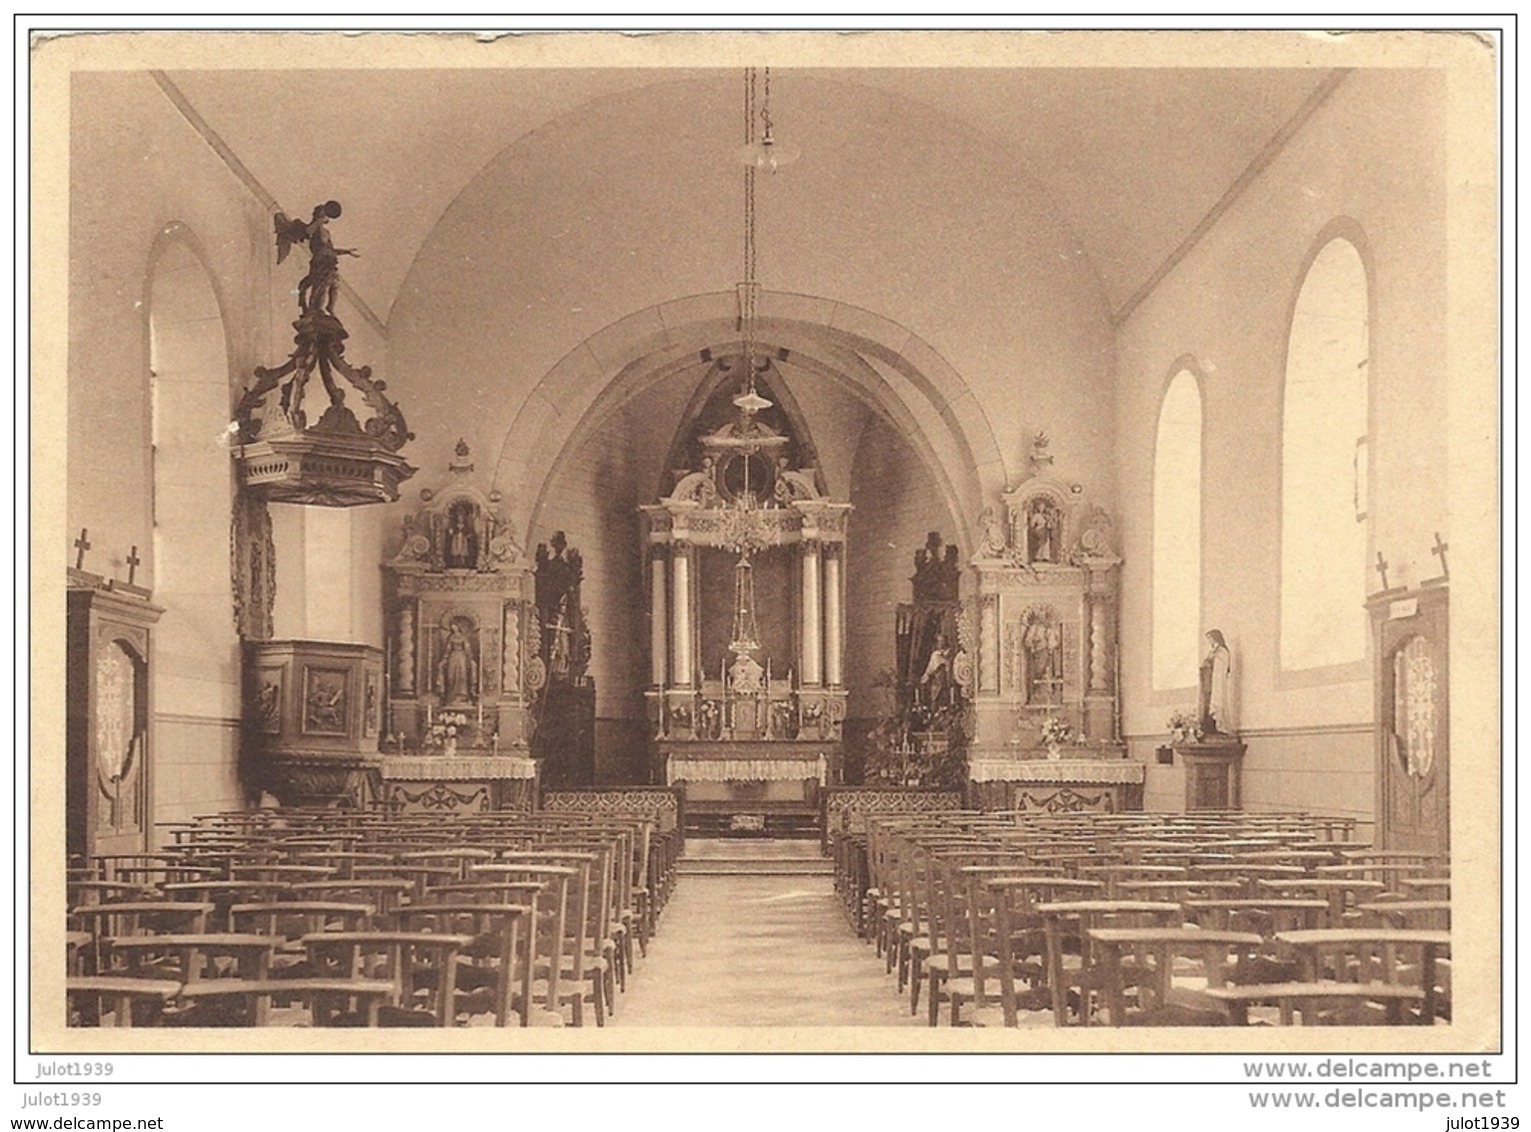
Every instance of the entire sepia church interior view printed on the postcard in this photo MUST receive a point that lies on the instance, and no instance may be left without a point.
(996, 534)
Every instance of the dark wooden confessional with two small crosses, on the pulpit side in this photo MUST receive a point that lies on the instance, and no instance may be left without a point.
(108, 739)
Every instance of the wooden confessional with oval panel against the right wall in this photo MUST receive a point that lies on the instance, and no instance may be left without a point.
(1414, 719)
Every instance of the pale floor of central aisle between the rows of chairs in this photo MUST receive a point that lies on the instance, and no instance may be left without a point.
(760, 952)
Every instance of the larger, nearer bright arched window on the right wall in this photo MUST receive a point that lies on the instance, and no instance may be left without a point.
(1324, 465)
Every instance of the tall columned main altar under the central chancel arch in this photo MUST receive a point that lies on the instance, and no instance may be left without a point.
(746, 581)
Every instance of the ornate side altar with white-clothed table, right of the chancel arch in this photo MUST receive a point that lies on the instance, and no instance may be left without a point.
(1046, 696)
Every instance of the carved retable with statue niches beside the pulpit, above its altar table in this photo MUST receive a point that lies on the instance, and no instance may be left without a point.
(462, 624)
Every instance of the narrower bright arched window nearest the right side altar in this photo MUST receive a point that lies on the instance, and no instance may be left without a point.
(1178, 535)
